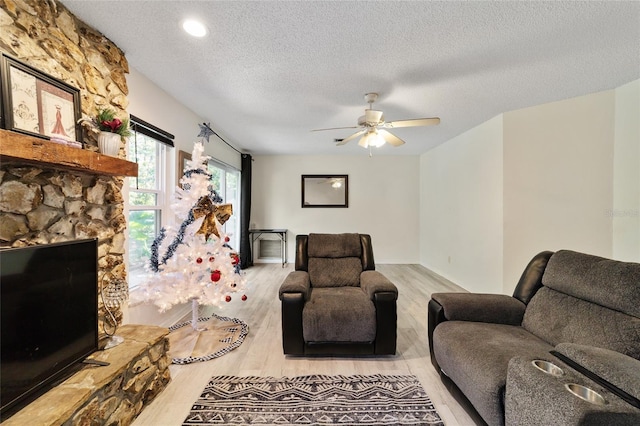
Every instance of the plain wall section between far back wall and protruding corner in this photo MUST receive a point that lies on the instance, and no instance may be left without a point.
(461, 208)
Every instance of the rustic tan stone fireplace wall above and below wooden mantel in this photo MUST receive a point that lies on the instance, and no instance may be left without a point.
(39, 206)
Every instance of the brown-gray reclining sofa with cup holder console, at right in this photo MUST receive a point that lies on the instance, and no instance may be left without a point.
(564, 349)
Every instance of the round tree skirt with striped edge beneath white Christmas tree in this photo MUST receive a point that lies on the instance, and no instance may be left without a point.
(217, 336)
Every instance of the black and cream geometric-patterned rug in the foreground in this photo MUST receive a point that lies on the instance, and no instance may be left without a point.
(314, 400)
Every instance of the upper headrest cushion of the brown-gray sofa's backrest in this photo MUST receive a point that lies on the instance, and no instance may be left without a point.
(609, 283)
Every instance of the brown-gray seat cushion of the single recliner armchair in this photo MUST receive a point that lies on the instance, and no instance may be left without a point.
(344, 314)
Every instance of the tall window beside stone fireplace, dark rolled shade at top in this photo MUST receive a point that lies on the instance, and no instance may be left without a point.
(146, 194)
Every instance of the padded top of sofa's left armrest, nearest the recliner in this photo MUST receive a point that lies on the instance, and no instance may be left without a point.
(492, 308)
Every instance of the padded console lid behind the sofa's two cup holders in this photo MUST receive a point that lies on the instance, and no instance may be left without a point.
(615, 371)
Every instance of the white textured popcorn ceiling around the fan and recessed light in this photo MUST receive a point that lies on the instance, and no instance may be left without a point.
(270, 71)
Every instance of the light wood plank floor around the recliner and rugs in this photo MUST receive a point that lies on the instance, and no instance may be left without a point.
(261, 353)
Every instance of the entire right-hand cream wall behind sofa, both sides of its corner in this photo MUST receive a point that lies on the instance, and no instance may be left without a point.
(567, 176)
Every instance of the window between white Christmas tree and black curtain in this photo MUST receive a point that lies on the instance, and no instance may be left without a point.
(226, 180)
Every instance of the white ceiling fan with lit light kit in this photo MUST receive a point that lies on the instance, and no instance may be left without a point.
(373, 127)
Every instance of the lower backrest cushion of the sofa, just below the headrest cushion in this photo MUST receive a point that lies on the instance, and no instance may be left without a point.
(556, 318)
